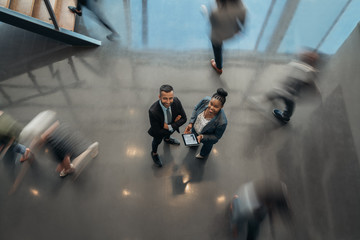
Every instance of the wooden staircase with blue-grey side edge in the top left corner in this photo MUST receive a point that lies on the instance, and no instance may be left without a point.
(54, 21)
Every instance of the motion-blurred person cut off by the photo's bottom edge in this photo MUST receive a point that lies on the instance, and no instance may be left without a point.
(253, 202)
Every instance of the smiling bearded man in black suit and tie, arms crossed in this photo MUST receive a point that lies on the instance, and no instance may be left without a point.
(166, 116)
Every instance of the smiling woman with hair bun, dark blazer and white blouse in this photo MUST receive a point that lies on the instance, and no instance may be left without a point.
(208, 121)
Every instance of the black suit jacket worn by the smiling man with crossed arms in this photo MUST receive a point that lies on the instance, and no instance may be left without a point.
(157, 118)
